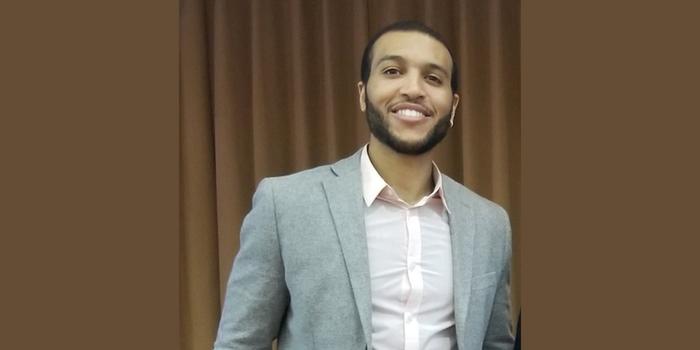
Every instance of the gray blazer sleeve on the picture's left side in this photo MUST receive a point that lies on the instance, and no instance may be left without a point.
(256, 294)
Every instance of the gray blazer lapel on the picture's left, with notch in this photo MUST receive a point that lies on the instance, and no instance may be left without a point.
(344, 195)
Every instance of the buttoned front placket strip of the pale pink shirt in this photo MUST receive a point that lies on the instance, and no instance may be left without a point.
(415, 280)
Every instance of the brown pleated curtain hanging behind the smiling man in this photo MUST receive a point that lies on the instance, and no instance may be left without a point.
(269, 88)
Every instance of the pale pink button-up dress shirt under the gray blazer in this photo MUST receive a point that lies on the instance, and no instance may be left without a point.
(410, 263)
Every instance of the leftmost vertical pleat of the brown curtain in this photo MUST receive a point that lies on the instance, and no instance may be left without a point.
(199, 280)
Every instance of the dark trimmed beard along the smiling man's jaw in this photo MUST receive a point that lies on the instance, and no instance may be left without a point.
(379, 127)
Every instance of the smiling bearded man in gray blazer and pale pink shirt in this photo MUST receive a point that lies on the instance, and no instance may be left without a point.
(379, 250)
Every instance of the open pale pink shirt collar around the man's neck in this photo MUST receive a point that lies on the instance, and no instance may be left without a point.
(373, 183)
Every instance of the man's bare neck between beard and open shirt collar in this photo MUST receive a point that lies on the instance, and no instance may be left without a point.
(411, 176)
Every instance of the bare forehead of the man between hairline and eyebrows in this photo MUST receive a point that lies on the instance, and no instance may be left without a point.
(414, 47)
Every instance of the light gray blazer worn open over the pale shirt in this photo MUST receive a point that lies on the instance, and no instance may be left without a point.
(302, 276)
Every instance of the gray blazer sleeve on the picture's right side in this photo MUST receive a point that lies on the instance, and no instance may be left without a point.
(499, 335)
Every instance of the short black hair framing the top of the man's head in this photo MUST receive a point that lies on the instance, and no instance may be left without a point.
(405, 26)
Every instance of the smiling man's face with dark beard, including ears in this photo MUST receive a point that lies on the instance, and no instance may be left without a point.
(408, 99)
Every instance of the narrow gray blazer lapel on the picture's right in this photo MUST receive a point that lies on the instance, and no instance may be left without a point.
(462, 229)
